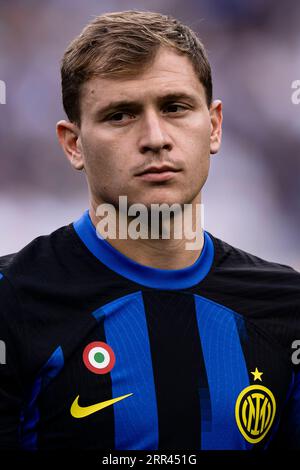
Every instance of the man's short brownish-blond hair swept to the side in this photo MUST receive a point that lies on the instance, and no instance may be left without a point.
(121, 44)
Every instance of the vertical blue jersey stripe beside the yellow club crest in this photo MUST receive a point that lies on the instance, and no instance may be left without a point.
(226, 373)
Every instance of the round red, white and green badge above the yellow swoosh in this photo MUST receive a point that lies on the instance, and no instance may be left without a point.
(99, 357)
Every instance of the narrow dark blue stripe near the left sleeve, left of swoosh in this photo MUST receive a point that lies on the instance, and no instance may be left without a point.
(30, 415)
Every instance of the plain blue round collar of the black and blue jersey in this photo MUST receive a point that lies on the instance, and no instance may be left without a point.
(145, 275)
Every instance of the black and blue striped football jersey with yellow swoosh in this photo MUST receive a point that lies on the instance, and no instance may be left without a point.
(100, 352)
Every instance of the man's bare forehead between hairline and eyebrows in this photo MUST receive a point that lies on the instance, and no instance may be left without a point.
(170, 72)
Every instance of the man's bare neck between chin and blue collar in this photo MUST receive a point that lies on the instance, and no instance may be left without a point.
(172, 252)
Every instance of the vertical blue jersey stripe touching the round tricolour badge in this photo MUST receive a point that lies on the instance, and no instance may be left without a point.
(136, 420)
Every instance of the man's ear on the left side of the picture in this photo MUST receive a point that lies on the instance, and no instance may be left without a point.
(68, 135)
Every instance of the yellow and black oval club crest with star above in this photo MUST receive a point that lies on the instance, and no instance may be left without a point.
(255, 410)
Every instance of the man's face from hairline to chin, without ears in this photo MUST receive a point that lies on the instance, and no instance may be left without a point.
(154, 120)
